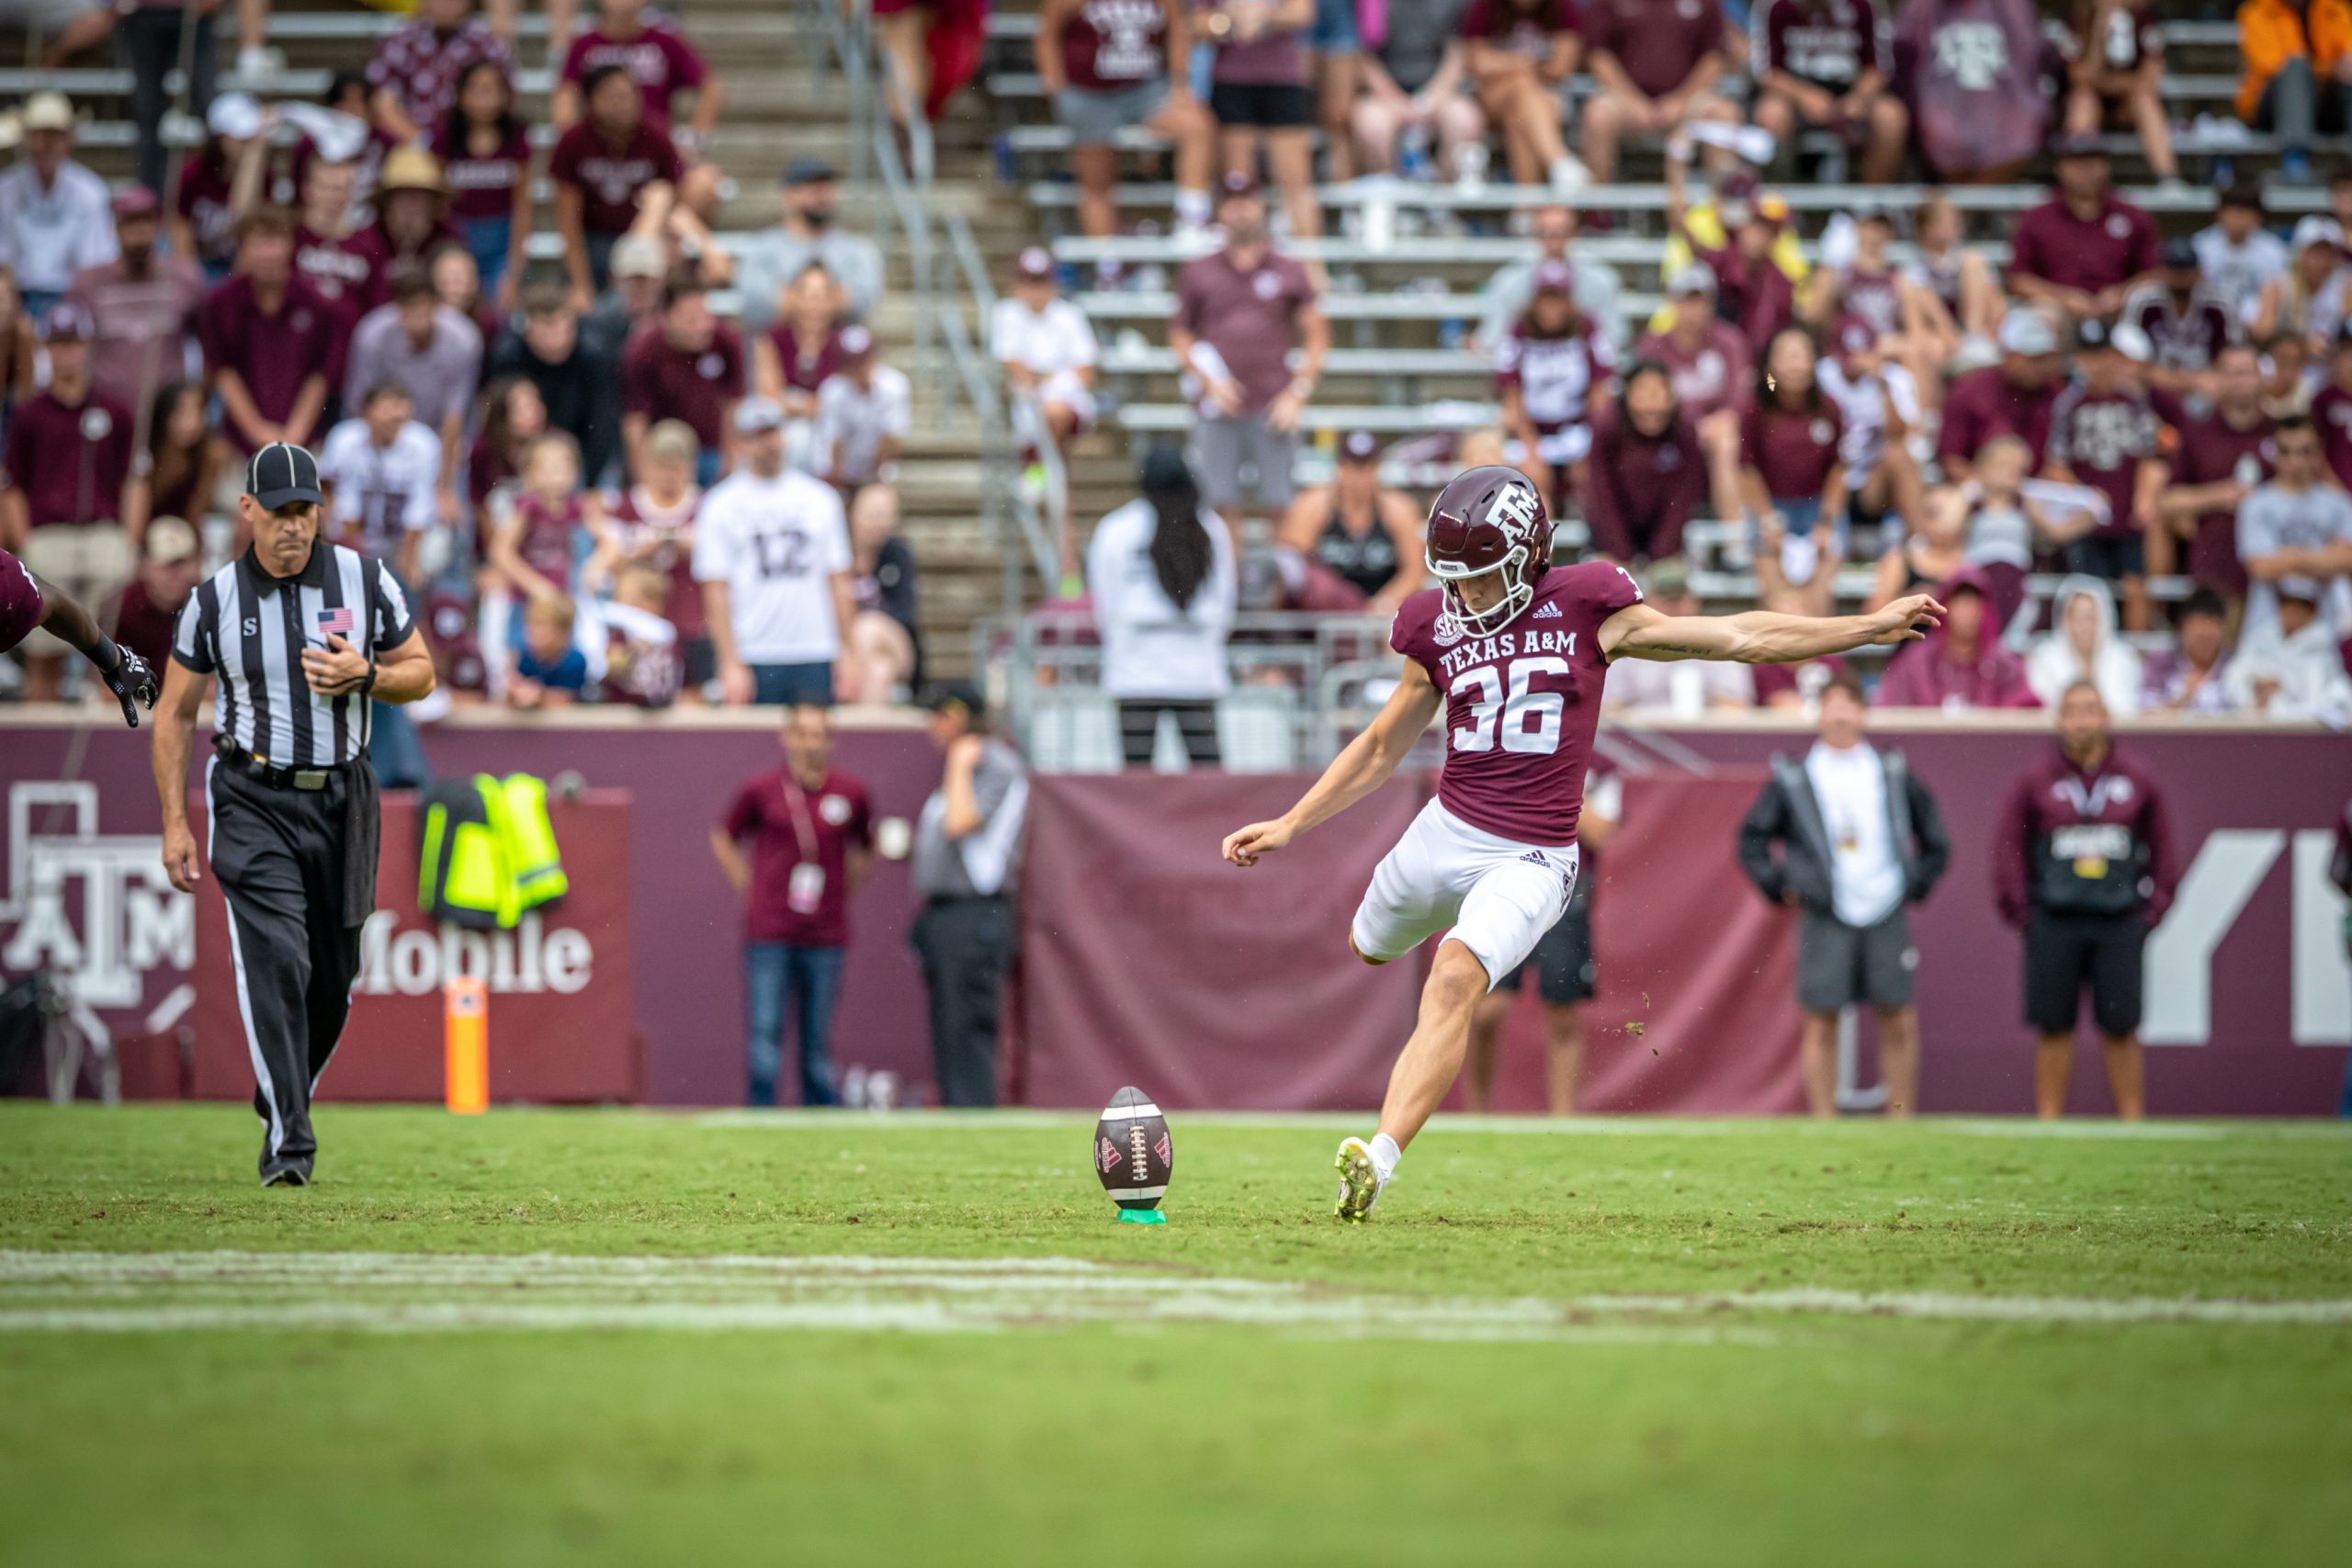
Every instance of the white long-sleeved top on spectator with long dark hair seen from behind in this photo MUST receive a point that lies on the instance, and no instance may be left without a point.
(1149, 645)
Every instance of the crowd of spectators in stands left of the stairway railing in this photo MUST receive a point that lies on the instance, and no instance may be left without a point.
(530, 443)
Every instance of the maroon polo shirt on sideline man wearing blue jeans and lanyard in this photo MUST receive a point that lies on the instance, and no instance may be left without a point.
(789, 829)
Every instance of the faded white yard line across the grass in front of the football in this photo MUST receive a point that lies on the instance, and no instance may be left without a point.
(547, 1292)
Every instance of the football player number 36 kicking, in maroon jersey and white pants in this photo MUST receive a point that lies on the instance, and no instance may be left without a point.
(1516, 652)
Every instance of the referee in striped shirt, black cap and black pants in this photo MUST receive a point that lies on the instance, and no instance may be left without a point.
(298, 634)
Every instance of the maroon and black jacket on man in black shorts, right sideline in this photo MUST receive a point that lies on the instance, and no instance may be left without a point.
(2085, 843)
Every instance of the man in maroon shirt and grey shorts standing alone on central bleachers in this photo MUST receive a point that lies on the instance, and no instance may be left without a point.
(1238, 316)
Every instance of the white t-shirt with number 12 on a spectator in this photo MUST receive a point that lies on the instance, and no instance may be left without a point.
(777, 547)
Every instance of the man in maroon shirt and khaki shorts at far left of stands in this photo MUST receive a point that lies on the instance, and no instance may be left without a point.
(69, 488)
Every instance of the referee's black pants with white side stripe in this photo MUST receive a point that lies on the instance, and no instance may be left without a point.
(281, 862)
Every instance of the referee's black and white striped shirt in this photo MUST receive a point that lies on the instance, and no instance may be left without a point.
(250, 629)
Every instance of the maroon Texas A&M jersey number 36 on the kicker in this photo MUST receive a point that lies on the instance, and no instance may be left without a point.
(1523, 704)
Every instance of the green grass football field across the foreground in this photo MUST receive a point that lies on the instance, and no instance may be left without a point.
(662, 1339)
